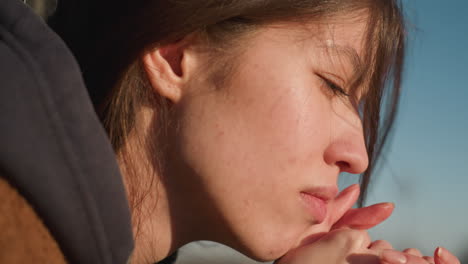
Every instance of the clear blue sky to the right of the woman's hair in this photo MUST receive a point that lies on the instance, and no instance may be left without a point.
(425, 173)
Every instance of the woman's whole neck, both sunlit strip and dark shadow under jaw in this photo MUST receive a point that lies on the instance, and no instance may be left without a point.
(165, 216)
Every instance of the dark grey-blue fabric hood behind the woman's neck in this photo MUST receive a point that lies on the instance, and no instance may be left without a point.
(53, 149)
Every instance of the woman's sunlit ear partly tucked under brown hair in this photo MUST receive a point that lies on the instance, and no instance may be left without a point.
(168, 69)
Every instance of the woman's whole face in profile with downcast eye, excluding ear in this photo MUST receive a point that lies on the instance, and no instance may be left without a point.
(253, 157)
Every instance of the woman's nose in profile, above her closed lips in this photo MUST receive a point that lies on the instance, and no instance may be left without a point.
(347, 150)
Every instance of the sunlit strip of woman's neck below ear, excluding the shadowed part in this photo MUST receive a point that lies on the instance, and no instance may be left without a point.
(152, 225)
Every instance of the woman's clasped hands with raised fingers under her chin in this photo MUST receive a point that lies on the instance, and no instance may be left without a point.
(355, 247)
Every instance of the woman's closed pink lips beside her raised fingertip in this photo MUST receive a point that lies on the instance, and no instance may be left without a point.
(316, 200)
